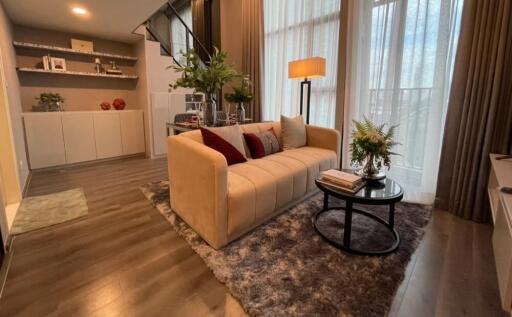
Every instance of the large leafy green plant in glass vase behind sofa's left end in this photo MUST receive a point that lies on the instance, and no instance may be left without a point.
(206, 78)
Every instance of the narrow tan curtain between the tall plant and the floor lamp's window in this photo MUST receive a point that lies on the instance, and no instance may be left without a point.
(252, 52)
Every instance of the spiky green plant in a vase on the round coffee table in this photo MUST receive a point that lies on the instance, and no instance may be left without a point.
(371, 147)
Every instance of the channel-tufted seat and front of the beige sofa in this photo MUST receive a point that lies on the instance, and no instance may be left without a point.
(260, 186)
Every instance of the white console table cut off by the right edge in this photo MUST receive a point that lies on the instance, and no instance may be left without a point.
(501, 208)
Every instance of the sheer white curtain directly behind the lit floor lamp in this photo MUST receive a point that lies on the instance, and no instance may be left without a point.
(296, 29)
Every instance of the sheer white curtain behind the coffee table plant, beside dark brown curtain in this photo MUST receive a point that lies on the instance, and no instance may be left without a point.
(401, 62)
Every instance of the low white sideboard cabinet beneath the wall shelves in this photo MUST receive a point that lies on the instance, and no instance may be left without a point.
(58, 138)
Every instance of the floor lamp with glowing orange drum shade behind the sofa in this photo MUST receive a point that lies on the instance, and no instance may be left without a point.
(306, 69)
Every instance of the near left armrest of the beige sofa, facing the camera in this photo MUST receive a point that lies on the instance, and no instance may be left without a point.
(198, 188)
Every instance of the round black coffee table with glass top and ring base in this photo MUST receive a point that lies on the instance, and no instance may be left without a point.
(383, 192)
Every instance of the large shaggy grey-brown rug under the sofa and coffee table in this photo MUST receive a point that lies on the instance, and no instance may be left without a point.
(284, 268)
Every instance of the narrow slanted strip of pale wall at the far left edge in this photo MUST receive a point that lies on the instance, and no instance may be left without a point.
(13, 96)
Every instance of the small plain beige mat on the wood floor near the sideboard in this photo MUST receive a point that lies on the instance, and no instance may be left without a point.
(42, 211)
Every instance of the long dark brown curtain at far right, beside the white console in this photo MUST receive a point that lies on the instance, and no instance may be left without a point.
(479, 117)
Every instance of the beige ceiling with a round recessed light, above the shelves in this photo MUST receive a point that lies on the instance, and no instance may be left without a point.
(108, 19)
